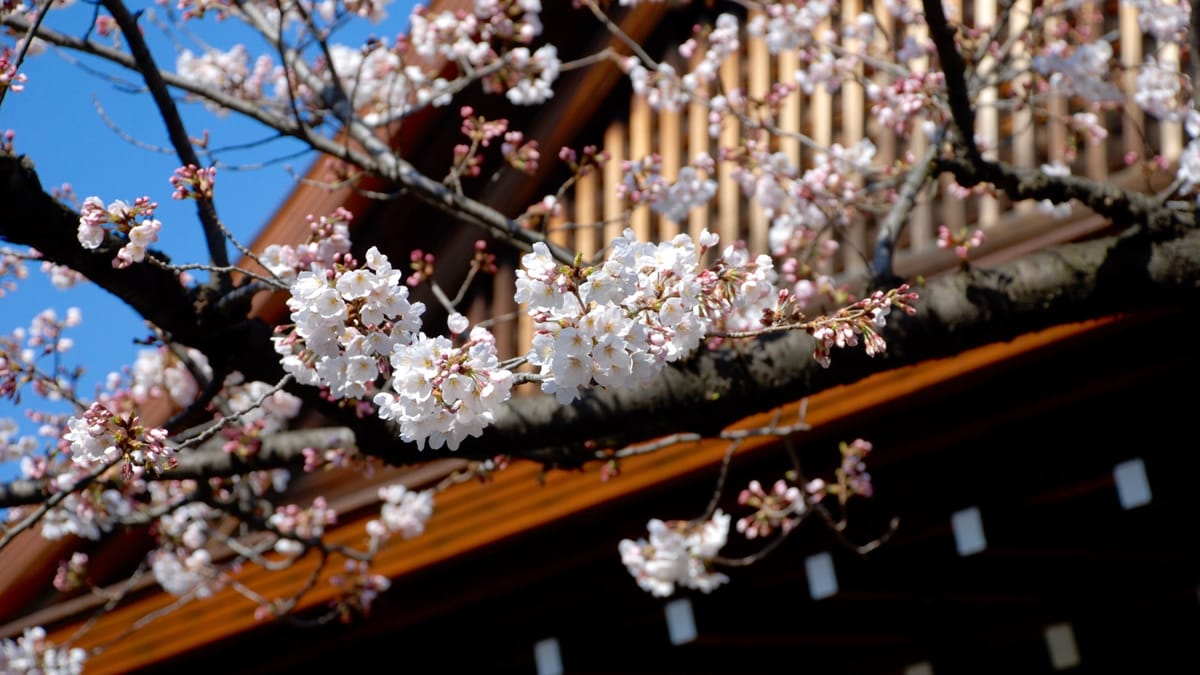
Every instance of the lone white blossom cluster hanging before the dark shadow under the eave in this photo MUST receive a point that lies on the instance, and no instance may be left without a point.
(677, 554)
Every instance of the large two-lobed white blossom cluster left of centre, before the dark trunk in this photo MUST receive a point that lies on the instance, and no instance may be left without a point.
(353, 325)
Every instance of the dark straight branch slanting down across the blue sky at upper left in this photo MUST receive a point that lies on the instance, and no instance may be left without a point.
(176, 130)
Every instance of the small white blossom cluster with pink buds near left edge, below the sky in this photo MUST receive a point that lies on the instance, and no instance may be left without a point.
(100, 438)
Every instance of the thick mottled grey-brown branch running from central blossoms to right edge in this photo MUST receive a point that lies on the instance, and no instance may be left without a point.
(957, 313)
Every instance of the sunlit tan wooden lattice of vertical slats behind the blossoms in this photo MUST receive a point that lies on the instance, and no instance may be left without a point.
(1022, 138)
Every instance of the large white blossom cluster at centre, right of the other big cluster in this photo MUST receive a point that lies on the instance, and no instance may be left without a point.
(619, 324)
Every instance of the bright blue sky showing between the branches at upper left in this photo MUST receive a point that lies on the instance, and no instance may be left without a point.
(59, 127)
